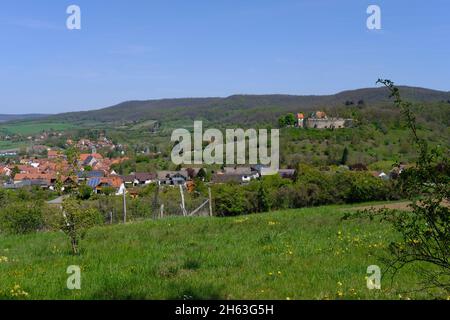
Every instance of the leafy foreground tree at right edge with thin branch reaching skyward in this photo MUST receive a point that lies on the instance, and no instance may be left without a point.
(425, 230)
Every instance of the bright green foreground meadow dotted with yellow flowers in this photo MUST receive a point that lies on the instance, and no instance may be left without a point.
(296, 254)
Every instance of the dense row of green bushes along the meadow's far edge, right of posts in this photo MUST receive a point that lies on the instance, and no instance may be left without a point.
(310, 187)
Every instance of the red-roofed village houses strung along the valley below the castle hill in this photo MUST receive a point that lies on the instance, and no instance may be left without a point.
(54, 172)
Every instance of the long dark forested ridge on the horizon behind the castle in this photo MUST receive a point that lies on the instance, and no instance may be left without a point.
(246, 109)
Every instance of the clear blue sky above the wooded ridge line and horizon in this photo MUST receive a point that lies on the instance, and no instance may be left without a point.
(145, 49)
